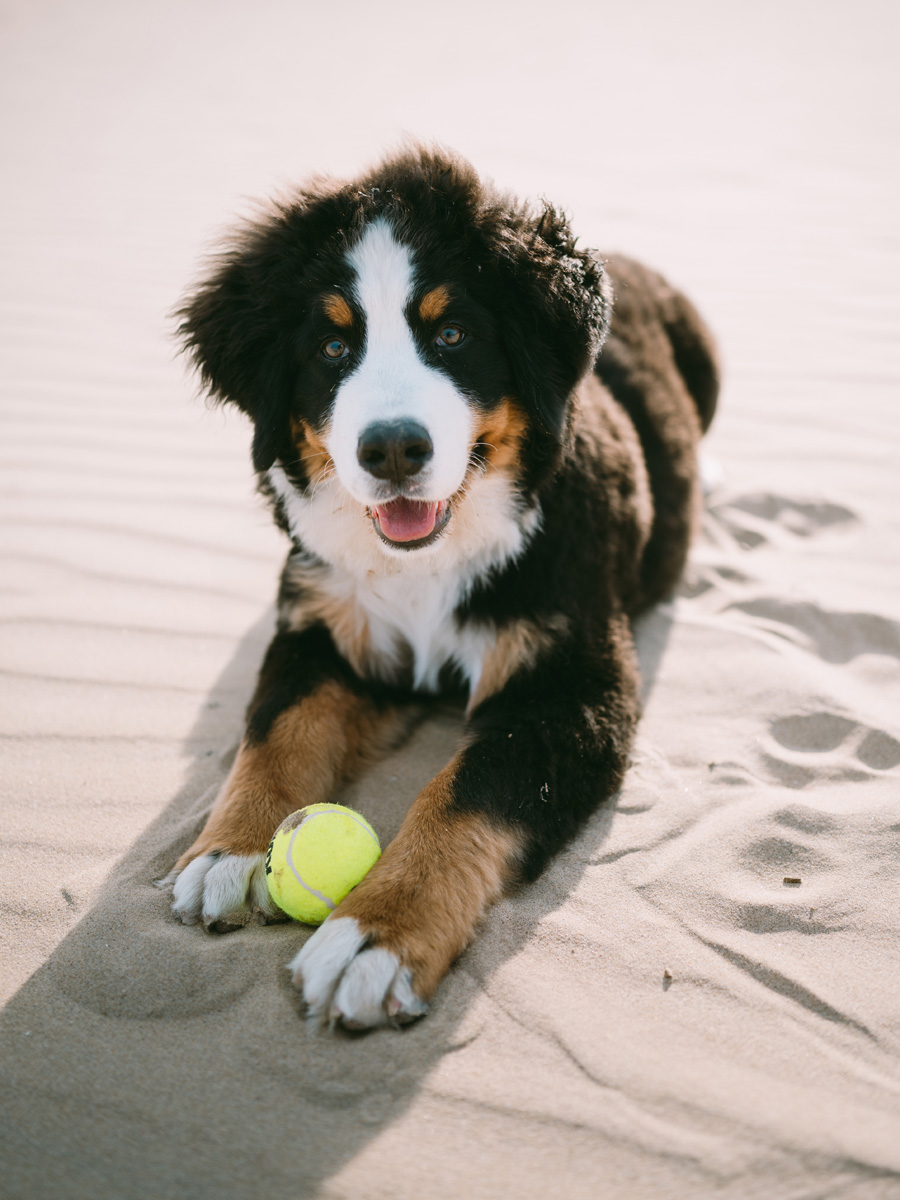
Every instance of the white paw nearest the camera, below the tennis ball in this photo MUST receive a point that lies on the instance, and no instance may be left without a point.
(345, 983)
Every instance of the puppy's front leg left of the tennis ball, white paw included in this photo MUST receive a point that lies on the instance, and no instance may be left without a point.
(313, 725)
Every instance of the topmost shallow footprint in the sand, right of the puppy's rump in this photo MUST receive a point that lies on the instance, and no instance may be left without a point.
(763, 518)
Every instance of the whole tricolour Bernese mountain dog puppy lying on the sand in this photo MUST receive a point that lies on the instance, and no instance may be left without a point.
(482, 443)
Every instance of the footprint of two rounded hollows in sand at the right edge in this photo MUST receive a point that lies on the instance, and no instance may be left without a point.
(826, 748)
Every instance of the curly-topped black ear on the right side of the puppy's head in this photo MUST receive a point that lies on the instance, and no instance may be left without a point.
(557, 304)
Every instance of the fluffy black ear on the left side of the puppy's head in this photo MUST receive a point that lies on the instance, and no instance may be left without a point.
(232, 332)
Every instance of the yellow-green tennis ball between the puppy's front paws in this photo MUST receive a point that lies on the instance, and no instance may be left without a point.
(317, 856)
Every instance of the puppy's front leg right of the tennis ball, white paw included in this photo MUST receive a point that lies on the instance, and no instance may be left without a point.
(542, 753)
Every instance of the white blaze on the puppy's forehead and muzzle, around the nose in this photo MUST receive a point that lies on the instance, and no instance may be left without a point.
(393, 385)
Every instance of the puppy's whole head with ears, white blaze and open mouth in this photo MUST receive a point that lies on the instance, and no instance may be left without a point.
(399, 338)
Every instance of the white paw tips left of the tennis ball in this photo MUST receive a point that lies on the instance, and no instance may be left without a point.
(215, 887)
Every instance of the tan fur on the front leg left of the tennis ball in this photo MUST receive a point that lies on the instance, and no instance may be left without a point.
(311, 749)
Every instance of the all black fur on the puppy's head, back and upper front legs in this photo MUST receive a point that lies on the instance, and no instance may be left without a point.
(601, 422)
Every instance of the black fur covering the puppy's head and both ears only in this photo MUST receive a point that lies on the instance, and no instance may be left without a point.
(539, 302)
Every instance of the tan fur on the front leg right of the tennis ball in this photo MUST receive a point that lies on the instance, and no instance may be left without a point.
(427, 896)
